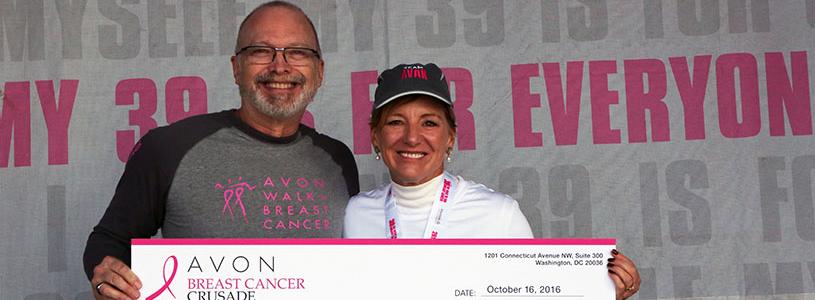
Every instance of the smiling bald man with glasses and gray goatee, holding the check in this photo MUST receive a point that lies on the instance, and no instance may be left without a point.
(254, 172)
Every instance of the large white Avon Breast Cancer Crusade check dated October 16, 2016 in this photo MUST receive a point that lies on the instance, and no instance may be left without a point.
(248, 269)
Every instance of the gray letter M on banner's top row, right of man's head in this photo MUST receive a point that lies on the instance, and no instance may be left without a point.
(323, 14)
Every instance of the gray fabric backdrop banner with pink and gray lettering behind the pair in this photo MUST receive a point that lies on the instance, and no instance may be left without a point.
(681, 128)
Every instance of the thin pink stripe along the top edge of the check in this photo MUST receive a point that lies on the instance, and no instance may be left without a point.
(373, 242)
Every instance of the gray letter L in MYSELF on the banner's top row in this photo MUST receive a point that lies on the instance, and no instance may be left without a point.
(194, 44)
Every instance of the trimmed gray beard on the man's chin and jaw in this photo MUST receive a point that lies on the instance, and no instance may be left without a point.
(276, 106)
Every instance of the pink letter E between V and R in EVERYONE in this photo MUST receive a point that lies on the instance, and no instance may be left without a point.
(601, 99)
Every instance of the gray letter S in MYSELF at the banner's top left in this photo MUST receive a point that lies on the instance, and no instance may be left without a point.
(109, 46)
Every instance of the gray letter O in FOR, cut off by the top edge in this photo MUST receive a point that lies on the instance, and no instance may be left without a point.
(698, 17)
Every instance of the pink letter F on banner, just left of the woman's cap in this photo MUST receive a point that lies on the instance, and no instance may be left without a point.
(361, 105)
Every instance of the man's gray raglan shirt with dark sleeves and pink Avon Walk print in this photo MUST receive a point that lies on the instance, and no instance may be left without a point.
(213, 176)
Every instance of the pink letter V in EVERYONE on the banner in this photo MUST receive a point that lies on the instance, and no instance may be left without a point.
(565, 114)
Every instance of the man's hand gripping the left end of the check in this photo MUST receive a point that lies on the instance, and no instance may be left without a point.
(113, 279)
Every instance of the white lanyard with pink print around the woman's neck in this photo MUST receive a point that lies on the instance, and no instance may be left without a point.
(435, 222)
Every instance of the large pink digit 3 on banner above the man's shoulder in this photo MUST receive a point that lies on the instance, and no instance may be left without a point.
(142, 116)
